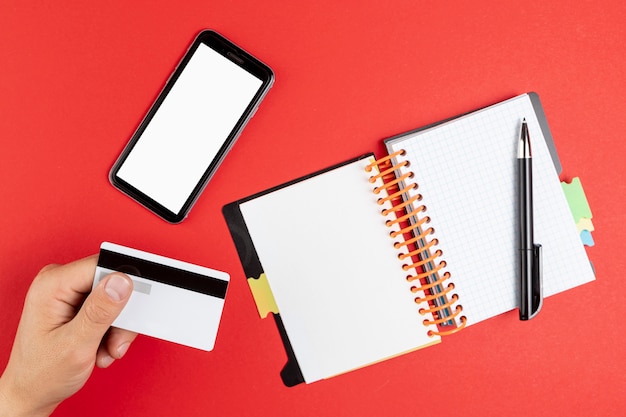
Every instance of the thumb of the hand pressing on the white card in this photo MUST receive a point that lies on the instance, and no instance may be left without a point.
(102, 307)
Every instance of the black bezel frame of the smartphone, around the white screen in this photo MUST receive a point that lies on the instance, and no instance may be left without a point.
(244, 60)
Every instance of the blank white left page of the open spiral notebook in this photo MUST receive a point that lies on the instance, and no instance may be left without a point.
(338, 283)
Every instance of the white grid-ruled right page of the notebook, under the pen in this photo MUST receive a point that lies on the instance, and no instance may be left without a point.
(466, 170)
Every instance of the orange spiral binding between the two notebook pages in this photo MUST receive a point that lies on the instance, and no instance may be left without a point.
(422, 258)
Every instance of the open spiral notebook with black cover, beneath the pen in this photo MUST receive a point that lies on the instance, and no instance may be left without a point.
(356, 261)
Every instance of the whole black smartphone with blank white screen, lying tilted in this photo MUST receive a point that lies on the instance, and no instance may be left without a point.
(193, 123)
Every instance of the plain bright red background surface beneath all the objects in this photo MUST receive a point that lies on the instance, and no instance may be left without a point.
(76, 77)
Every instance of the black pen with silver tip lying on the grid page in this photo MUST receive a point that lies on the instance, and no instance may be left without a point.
(530, 253)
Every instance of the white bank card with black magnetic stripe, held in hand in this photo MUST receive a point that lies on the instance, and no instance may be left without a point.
(171, 300)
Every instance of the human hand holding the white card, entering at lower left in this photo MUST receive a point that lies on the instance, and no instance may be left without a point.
(63, 333)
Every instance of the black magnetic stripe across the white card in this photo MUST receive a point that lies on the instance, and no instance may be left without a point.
(162, 273)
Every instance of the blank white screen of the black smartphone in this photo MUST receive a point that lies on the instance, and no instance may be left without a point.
(188, 129)
